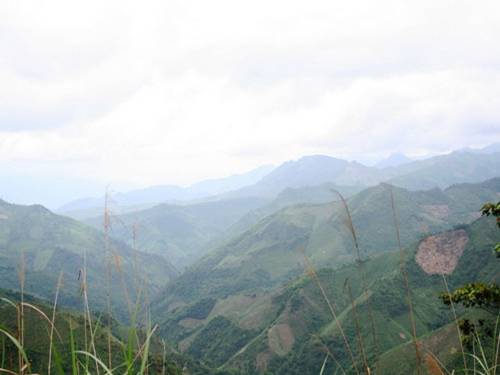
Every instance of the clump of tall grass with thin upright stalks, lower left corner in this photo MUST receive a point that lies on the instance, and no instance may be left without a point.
(88, 353)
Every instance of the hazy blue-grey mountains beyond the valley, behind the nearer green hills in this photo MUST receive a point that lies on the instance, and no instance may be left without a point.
(184, 232)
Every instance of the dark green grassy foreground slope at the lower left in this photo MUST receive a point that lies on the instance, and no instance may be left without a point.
(77, 349)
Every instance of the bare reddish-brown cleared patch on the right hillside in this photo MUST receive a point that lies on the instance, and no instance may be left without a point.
(439, 254)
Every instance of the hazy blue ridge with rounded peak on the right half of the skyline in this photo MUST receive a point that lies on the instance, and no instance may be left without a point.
(438, 171)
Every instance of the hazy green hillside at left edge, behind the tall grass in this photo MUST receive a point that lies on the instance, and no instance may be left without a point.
(51, 243)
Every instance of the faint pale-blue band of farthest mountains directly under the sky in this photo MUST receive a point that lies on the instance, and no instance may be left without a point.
(267, 182)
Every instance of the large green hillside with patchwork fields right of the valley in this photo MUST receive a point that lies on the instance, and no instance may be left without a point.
(224, 308)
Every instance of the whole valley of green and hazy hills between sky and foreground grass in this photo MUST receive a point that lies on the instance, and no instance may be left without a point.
(281, 281)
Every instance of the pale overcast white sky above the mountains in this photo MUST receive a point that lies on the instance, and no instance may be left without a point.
(135, 93)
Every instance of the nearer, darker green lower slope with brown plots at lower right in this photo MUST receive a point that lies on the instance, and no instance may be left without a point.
(286, 331)
